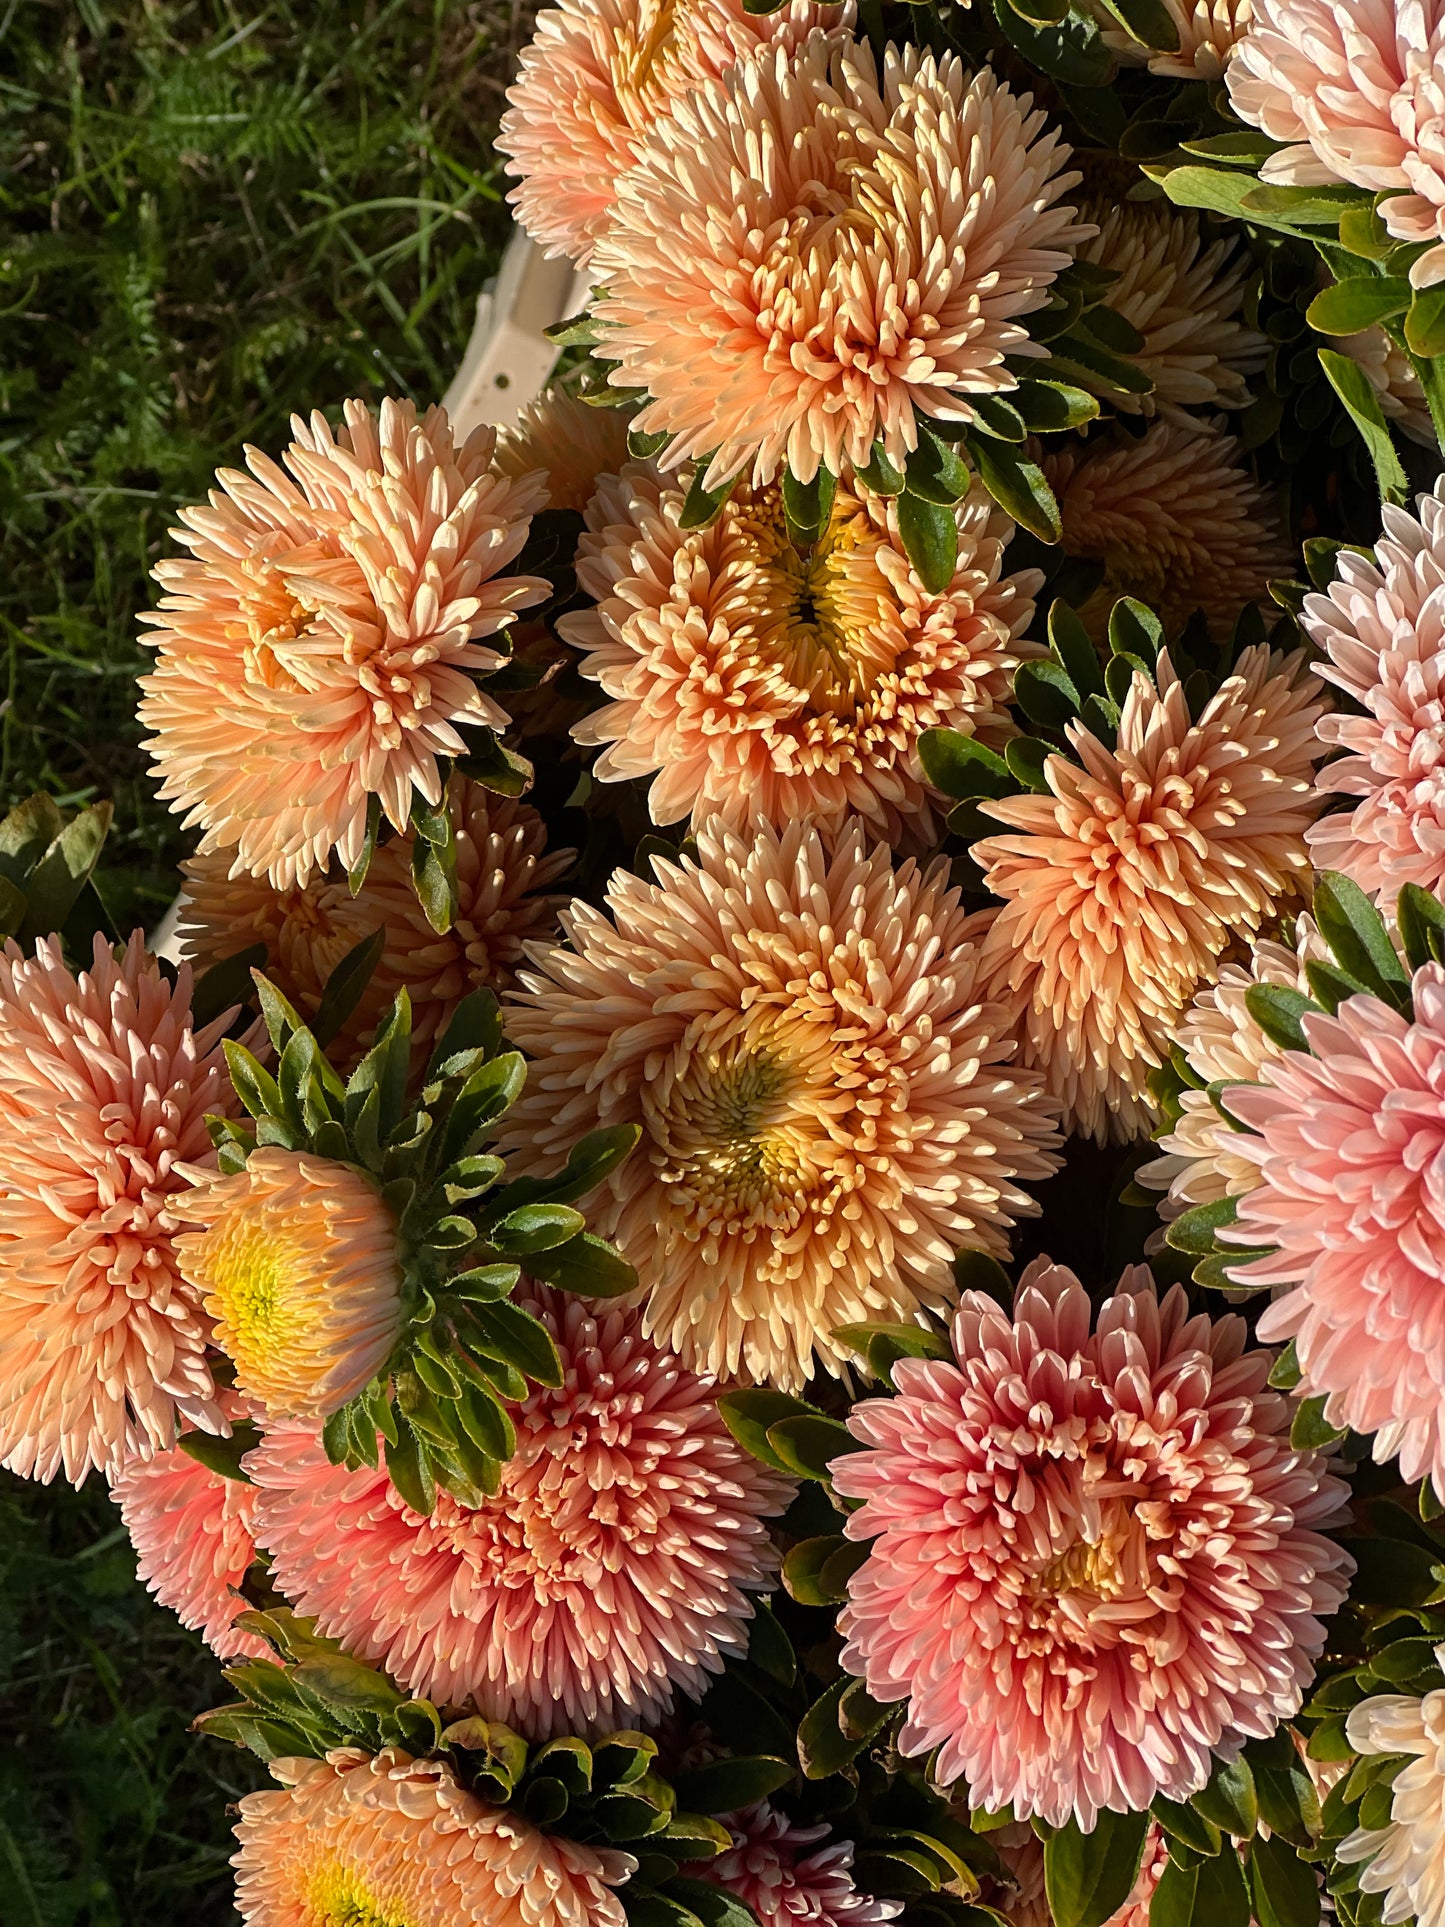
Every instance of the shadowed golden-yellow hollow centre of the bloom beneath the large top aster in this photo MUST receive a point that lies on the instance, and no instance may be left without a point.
(816, 612)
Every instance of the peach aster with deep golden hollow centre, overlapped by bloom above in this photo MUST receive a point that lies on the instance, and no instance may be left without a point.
(801, 683)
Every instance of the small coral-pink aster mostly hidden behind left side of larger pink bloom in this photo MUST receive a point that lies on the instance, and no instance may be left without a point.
(192, 1537)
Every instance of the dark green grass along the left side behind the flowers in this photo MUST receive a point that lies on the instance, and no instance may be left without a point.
(209, 217)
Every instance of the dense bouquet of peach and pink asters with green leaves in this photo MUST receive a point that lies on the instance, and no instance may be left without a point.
(781, 1252)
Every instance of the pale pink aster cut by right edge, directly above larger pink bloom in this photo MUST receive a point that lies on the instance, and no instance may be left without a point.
(1380, 625)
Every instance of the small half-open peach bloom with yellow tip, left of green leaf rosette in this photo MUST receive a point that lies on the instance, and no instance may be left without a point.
(298, 1265)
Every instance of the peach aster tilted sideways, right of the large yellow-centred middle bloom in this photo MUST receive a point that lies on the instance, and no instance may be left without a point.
(1124, 884)
